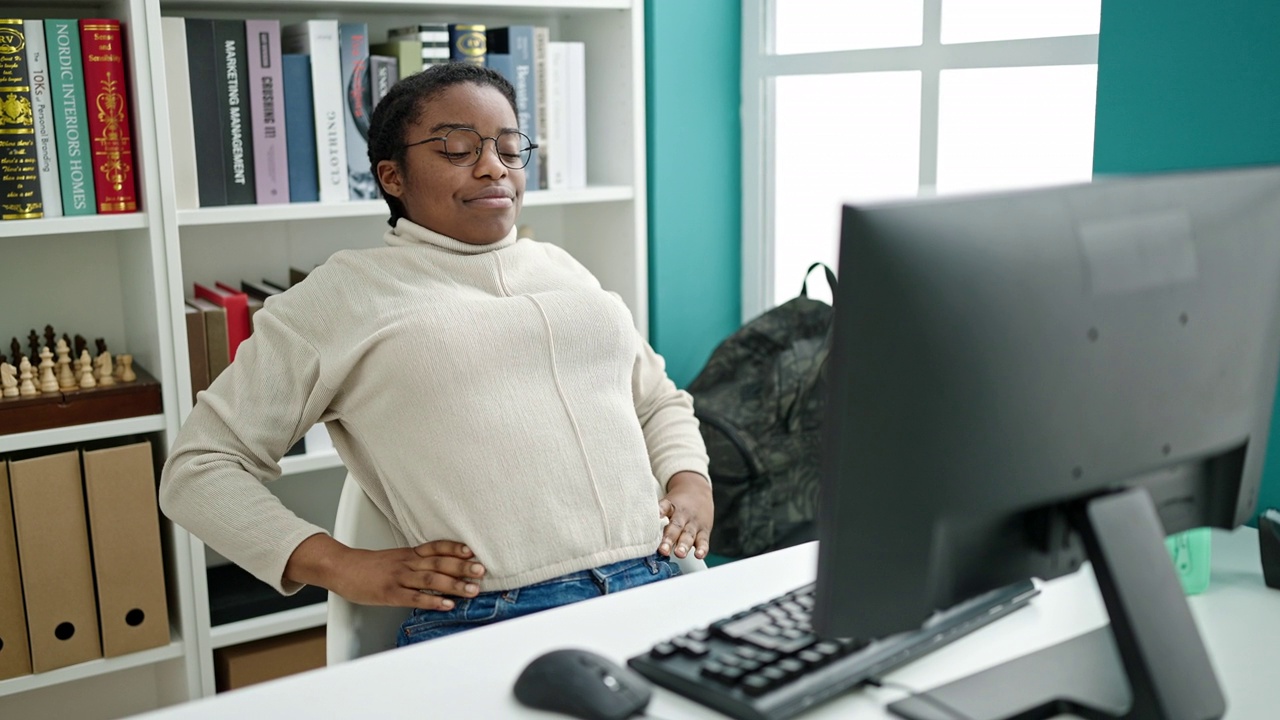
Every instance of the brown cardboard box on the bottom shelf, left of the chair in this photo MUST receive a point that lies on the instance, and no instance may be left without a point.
(258, 662)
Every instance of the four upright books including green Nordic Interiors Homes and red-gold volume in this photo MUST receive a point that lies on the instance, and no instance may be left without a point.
(66, 144)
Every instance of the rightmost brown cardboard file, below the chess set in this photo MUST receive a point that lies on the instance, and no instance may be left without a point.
(125, 534)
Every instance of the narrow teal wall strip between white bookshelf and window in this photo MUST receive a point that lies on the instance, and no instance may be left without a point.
(696, 179)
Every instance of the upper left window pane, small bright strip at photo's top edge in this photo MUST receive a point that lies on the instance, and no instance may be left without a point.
(821, 26)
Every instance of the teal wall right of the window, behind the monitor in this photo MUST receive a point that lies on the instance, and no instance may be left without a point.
(1191, 84)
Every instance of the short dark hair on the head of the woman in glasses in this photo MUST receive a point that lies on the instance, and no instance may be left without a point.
(403, 106)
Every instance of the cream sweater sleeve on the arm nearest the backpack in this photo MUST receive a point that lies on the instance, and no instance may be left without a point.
(666, 418)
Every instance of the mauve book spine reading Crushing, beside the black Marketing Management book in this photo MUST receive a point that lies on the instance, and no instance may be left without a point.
(267, 106)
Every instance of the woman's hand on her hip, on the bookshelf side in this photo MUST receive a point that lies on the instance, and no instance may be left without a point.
(405, 577)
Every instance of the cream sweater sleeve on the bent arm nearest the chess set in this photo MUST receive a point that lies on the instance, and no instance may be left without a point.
(213, 482)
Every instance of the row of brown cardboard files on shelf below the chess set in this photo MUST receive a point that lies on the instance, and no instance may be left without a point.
(81, 566)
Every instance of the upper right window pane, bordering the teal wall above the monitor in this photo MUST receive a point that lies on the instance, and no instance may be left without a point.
(981, 21)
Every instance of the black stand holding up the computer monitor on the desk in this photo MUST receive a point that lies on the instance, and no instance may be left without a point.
(1151, 634)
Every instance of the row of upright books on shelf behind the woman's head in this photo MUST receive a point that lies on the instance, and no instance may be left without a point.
(282, 112)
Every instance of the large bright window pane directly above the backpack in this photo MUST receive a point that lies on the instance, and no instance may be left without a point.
(838, 138)
